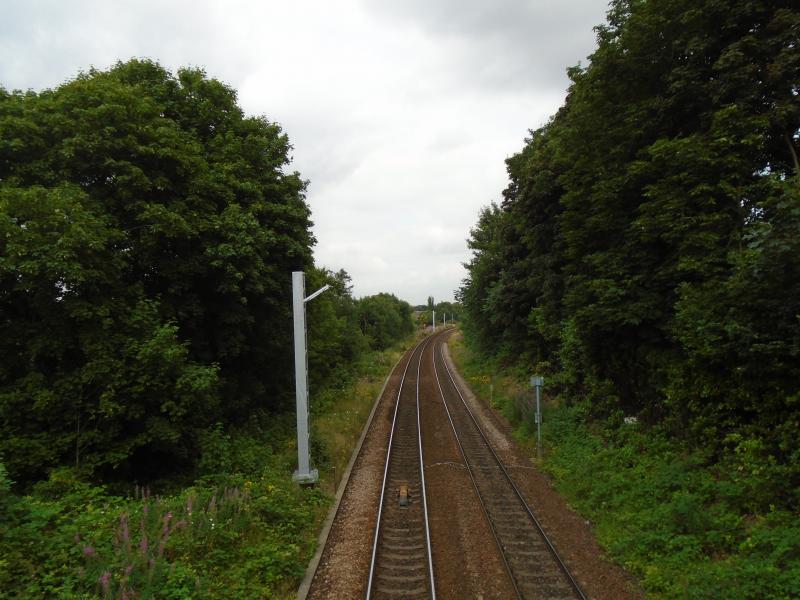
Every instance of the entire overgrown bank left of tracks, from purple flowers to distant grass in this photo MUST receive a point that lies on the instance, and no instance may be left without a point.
(242, 529)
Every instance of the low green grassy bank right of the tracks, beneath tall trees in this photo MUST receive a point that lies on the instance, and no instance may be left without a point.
(687, 524)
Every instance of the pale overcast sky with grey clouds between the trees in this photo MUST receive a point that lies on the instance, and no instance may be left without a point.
(401, 112)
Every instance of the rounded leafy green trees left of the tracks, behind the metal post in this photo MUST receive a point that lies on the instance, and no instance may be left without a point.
(148, 231)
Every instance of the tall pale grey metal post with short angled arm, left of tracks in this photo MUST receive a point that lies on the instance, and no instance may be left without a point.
(303, 475)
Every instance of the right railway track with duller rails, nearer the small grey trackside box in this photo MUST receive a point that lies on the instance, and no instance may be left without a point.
(535, 569)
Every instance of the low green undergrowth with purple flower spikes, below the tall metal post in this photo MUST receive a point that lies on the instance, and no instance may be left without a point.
(249, 538)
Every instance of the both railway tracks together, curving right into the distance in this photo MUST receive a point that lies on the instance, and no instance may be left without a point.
(402, 564)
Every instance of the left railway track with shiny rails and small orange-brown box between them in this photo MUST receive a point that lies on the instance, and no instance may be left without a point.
(401, 564)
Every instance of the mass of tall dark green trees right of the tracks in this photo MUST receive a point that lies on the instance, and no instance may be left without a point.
(647, 247)
